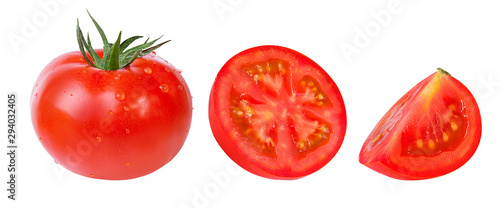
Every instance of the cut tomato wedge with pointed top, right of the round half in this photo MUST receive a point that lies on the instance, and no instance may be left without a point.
(432, 130)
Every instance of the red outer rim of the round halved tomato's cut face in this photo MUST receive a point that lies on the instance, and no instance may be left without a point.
(222, 135)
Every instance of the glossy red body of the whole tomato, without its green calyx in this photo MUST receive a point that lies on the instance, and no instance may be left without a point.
(111, 124)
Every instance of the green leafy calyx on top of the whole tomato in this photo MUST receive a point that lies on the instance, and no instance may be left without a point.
(115, 56)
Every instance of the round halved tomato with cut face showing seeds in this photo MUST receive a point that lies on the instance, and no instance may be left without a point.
(277, 113)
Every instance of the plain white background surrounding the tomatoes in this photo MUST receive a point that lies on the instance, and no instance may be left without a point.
(396, 53)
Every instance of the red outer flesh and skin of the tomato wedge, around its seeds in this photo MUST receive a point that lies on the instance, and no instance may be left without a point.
(386, 160)
